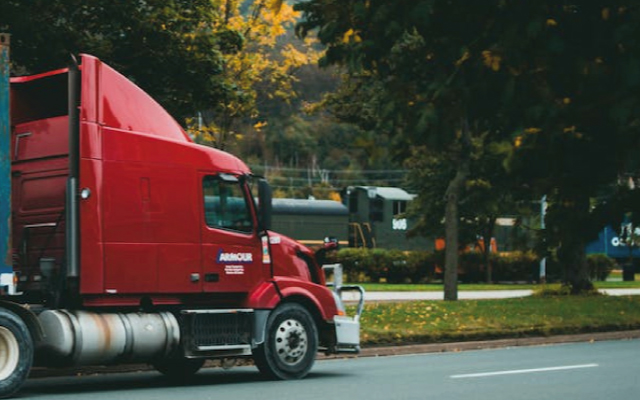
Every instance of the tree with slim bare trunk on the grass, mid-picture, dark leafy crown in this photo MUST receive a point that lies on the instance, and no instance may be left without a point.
(432, 83)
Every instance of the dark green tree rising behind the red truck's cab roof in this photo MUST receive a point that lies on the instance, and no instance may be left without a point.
(172, 50)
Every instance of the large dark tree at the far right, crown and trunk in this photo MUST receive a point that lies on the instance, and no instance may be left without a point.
(581, 131)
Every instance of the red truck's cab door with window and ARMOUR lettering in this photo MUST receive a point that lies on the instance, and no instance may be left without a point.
(231, 247)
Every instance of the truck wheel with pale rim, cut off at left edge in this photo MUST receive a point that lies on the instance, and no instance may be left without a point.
(16, 353)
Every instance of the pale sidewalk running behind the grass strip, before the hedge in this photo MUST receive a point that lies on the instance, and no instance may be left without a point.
(464, 295)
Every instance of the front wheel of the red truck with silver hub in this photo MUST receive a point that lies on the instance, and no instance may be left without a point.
(290, 345)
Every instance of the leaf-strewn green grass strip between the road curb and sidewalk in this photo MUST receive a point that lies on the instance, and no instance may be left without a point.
(439, 321)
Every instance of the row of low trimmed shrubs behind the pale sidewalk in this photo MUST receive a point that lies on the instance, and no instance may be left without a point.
(395, 266)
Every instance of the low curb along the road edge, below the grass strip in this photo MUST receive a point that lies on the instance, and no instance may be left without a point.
(375, 351)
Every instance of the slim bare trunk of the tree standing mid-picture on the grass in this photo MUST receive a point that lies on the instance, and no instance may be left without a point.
(451, 221)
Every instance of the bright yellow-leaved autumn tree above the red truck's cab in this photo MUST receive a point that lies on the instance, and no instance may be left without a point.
(261, 69)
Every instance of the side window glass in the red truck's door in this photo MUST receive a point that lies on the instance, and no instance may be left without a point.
(225, 205)
